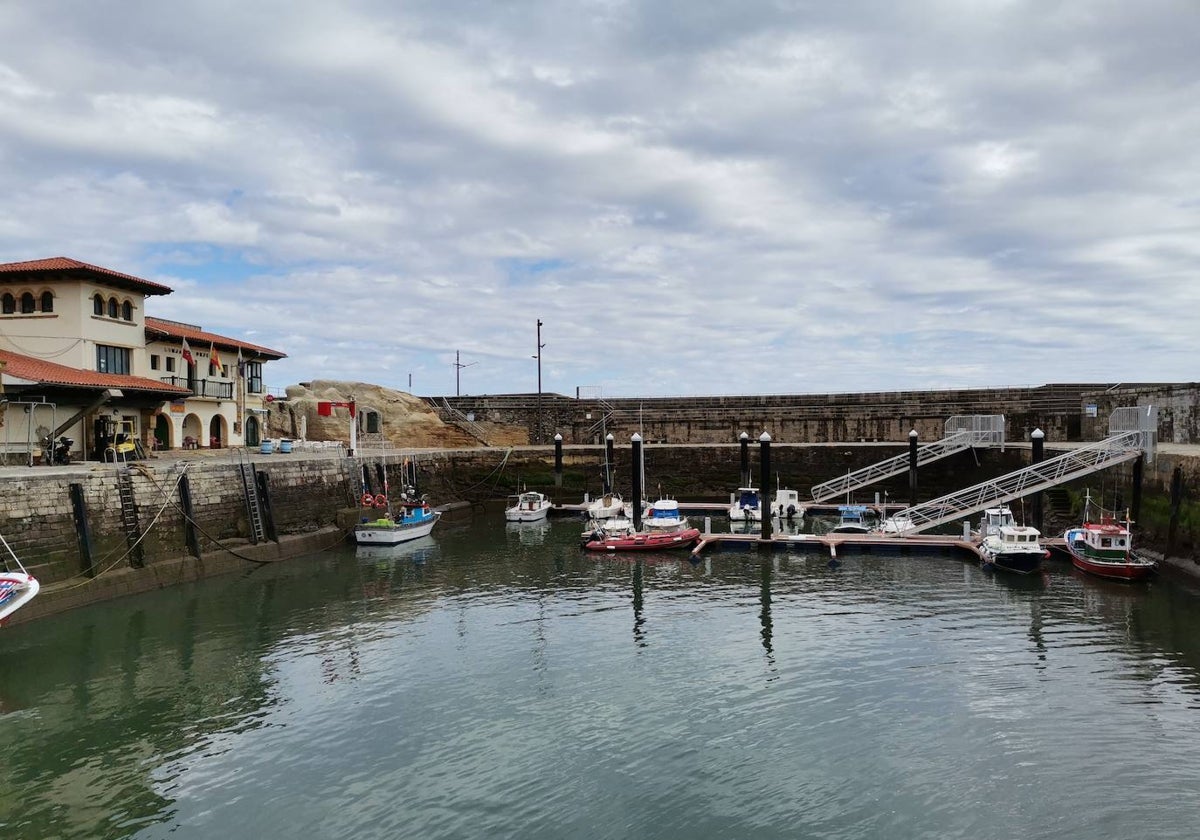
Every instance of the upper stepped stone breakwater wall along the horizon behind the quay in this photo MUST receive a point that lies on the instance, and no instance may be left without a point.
(1065, 412)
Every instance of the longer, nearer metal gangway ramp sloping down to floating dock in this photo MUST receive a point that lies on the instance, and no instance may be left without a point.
(1133, 434)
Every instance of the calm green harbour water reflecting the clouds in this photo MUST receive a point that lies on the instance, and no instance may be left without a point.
(496, 682)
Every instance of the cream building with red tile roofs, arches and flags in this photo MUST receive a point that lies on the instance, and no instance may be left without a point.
(79, 350)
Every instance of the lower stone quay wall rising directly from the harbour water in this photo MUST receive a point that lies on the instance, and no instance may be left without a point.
(313, 502)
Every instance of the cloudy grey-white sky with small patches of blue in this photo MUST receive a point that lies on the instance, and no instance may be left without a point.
(694, 199)
